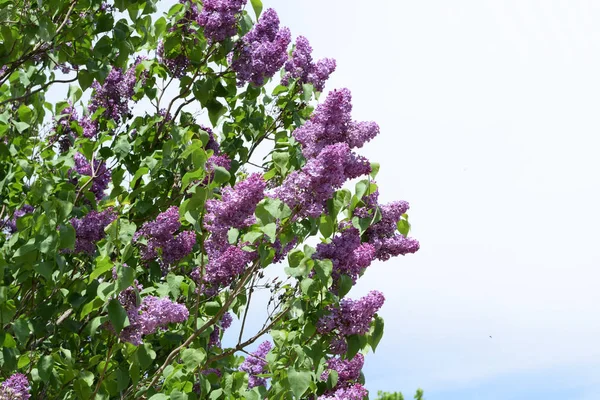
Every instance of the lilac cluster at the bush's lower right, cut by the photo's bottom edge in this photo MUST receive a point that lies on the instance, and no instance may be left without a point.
(348, 373)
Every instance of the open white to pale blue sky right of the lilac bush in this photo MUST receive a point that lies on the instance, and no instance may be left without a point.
(490, 128)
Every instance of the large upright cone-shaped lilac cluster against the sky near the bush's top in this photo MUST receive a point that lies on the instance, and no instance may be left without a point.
(263, 50)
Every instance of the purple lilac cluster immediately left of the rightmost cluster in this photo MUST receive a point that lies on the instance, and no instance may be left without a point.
(348, 255)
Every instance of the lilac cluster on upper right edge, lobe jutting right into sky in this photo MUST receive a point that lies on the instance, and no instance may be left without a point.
(332, 123)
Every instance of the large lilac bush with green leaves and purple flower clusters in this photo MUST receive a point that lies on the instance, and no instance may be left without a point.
(132, 234)
